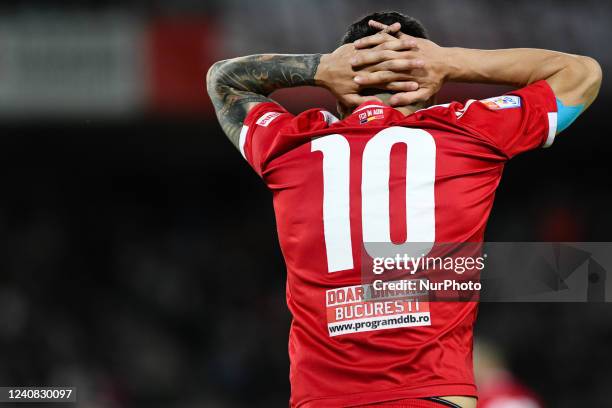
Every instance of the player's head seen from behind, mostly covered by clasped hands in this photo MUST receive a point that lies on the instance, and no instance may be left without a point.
(362, 28)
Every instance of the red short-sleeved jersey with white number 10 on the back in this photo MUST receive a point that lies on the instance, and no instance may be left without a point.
(380, 176)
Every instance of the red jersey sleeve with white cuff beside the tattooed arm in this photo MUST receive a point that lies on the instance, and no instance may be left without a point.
(260, 130)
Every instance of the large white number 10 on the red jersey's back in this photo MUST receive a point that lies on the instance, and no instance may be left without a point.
(420, 200)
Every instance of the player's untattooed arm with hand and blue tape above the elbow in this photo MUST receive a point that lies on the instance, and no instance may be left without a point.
(575, 80)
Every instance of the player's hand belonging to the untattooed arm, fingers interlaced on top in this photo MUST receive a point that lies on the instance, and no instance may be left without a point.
(390, 56)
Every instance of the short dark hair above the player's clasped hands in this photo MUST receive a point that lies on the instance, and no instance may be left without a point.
(360, 29)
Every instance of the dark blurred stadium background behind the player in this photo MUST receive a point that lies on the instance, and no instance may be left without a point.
(134, 238)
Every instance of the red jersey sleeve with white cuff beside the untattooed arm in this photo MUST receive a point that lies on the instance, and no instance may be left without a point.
(516, 122)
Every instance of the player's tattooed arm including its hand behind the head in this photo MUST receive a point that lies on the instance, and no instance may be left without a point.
(237, 85)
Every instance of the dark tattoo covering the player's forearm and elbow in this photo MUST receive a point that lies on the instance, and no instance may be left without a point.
(237, 85)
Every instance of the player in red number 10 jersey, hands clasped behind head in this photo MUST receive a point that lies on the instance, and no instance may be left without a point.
(413, 173)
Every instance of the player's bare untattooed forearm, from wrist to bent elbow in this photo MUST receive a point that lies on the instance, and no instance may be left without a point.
(574, 79)
